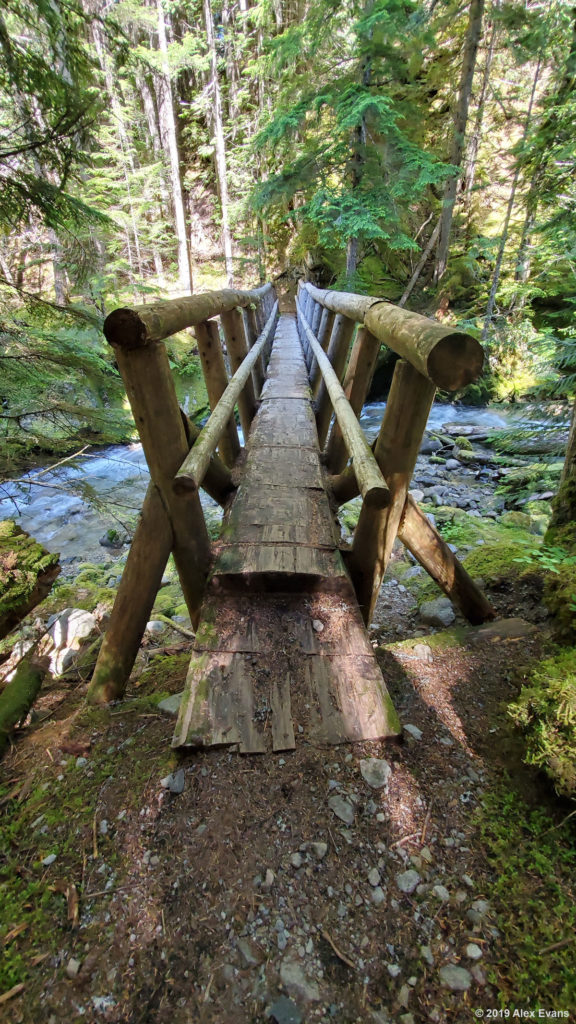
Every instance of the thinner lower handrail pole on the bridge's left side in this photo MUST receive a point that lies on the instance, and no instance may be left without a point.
(193, 470)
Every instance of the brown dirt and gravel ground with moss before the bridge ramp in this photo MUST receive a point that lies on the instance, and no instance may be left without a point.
(141, 888)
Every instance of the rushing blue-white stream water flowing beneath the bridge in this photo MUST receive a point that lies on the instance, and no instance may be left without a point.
(71, 508)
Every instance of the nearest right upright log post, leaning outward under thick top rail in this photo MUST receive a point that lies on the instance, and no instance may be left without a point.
(404, 422)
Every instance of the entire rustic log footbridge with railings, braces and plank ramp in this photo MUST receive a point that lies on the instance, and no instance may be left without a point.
(279, 606)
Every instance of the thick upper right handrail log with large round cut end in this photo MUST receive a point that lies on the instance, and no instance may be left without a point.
(450, 359)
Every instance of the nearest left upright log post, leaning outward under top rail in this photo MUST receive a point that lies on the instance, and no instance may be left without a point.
(146, 372)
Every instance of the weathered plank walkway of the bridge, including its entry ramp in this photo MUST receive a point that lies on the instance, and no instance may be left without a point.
(281, 647)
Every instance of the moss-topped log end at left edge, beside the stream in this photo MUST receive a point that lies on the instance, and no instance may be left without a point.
(27, 575)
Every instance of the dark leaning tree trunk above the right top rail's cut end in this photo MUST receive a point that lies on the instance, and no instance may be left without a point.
(461, 120)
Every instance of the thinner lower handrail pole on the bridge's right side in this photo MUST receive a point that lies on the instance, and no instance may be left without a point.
(373, 485)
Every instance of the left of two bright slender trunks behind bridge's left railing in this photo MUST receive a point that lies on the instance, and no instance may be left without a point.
(171, 142)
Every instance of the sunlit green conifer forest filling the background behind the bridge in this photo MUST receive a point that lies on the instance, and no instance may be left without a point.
(421, 152)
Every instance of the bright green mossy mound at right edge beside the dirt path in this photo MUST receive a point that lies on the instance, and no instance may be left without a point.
(546, 710)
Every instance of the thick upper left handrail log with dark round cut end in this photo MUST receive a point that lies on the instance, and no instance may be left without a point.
(139, 326)
